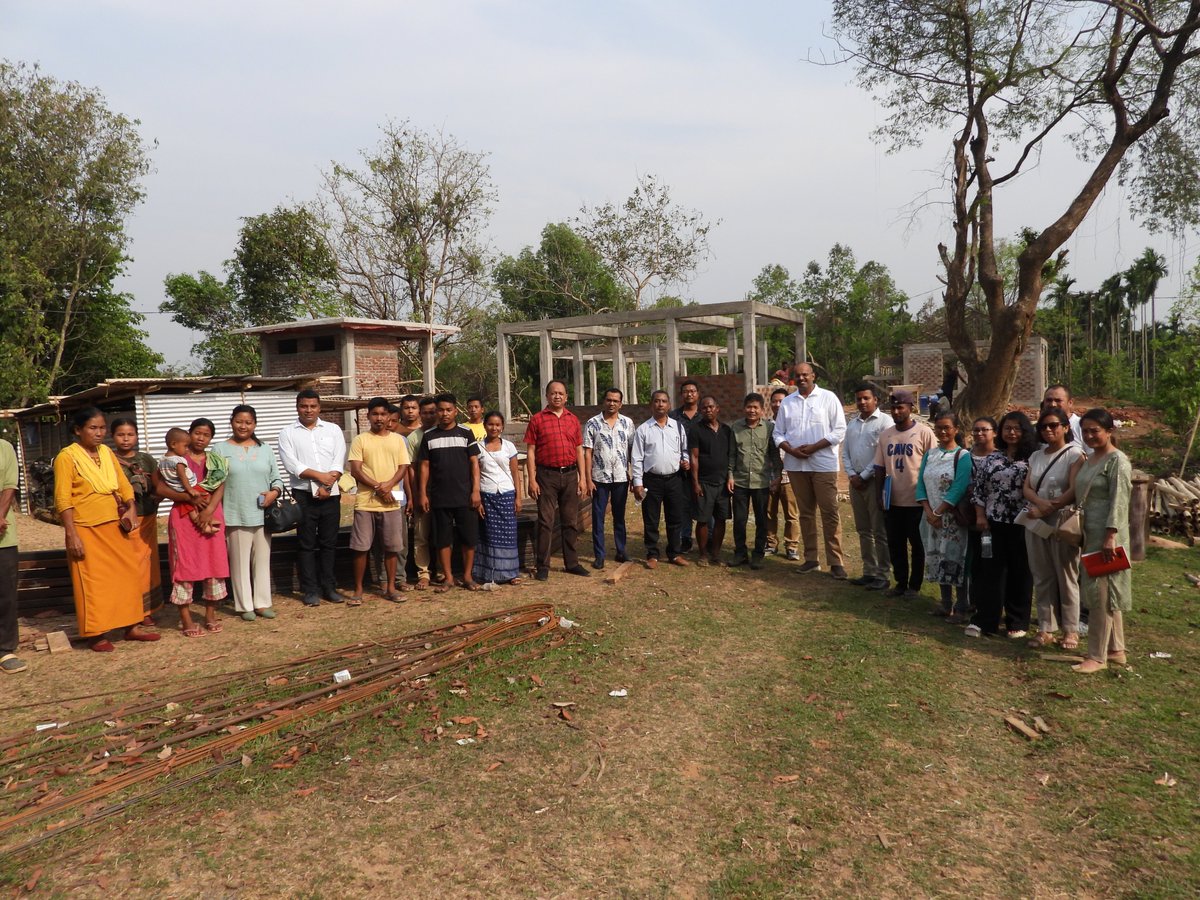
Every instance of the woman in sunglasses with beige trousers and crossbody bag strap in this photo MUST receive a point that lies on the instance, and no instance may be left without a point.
(1055, 565)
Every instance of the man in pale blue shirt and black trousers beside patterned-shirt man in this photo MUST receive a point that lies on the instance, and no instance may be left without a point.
(659, 455)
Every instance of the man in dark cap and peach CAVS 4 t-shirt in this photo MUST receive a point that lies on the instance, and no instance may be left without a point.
(897, 471)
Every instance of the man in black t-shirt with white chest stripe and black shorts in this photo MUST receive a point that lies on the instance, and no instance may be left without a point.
(449, 463)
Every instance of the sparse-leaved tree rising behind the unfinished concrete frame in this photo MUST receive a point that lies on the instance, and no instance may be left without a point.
(647, 242)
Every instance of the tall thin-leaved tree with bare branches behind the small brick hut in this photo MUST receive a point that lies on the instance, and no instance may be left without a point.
(407, 229)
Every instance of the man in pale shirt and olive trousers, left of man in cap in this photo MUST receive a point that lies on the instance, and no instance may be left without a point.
(859, 457)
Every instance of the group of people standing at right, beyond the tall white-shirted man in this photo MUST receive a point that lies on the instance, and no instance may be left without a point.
(986, 524)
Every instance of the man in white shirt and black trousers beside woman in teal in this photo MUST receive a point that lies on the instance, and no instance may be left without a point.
(314, 453)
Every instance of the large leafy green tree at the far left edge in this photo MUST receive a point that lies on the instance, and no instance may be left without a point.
(71, 173)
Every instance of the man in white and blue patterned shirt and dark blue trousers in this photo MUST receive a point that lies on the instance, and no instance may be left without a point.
(608, 440)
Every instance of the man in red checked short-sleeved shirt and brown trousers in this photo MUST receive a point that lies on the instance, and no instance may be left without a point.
(555, 443)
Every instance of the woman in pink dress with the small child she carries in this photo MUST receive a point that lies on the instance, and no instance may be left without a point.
(194, 479)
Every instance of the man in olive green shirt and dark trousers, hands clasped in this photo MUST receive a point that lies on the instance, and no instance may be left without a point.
(755, 471)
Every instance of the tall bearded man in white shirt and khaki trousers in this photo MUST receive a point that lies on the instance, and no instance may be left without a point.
(808, 429)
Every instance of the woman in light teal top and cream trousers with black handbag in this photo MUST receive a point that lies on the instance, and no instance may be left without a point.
(254, 484)
